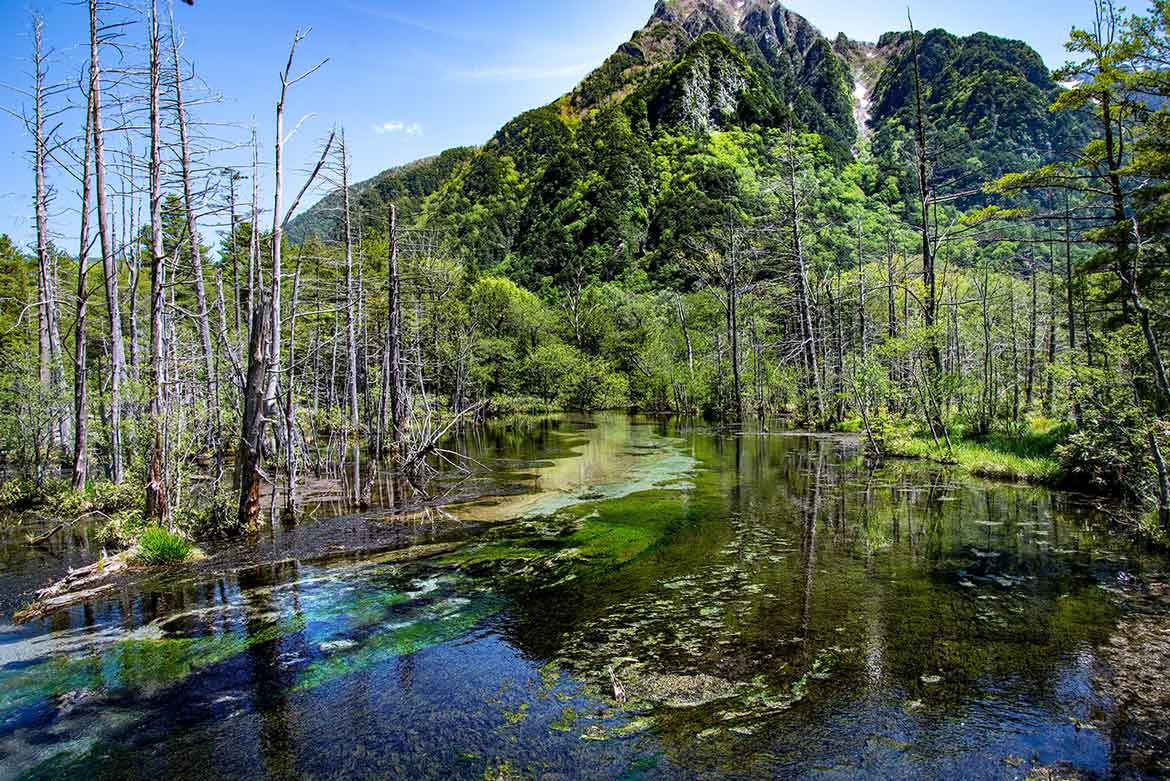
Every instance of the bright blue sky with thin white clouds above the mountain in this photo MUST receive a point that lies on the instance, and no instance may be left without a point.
(410, 79)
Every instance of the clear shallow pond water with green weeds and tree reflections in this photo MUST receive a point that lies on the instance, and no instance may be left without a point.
(642, 600)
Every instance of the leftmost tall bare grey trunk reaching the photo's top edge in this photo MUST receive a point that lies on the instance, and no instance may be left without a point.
(109, 262)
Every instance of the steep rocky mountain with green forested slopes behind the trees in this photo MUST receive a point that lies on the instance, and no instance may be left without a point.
(625, 171)
